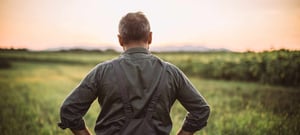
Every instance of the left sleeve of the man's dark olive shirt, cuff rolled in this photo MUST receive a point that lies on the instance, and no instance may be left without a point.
(78, 102)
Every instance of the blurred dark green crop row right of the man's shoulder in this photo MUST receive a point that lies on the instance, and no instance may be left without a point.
(280, 67)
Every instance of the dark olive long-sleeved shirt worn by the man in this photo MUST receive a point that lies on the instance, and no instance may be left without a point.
(141, 75)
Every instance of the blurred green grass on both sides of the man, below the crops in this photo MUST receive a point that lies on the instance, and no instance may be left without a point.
(32, 92)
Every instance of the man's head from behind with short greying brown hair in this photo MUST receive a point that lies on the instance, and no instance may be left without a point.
(134, 29)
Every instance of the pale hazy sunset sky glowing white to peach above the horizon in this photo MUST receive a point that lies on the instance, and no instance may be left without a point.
(234, 24)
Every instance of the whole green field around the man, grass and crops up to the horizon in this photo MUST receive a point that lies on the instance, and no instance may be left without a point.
(34, 84)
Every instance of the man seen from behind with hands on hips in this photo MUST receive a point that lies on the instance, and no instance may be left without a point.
(140, 72)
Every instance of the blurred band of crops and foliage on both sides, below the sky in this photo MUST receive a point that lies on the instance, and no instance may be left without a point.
(280, 67)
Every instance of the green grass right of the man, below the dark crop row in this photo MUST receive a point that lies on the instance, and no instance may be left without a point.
(249, 108)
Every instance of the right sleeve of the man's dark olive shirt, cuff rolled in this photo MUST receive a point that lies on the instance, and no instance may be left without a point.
(197, 107)
